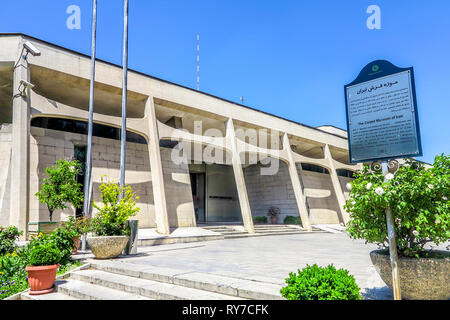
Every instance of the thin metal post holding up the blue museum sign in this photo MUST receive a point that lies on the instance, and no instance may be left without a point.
(392, 244)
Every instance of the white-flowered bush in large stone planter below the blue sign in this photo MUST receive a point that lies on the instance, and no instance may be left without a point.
(418, 199)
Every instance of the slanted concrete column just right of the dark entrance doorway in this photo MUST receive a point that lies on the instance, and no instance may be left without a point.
(239, 178)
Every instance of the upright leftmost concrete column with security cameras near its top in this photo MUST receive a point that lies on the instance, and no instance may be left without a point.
(20, 161)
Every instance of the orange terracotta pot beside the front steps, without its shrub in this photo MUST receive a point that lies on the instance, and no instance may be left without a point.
(41, 278)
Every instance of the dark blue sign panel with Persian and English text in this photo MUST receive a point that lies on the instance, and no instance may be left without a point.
(382, 120)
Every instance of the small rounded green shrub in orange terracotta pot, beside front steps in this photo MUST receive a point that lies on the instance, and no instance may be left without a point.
(43, 262)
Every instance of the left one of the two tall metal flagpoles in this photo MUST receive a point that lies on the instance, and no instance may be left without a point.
(88, 168)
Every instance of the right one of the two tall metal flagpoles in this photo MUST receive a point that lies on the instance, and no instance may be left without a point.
(123, 136)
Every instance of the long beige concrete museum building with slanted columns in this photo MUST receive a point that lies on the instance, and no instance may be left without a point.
(192, 158)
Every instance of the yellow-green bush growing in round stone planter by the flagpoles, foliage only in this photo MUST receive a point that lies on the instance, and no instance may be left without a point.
(112, 216)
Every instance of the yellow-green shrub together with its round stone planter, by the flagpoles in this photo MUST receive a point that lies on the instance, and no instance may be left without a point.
(110, 226)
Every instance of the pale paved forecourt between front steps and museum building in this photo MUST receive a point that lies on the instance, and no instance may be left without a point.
(269, 259)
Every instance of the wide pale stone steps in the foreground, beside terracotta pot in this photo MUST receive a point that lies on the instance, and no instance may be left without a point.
(117, 280)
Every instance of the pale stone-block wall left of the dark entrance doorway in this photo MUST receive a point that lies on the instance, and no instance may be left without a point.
(47, 146)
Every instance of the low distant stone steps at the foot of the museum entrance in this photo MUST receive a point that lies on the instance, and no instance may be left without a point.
(236, 231)
